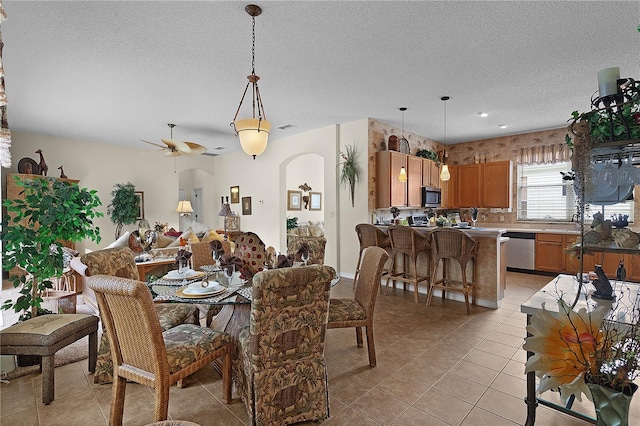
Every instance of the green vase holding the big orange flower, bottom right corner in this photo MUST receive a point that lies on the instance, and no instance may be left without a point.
(612, 406)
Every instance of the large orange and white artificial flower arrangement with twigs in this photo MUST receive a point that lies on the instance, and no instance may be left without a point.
(574, 349)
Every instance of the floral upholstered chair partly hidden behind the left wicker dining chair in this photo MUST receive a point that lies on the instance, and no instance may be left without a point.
(119, 262)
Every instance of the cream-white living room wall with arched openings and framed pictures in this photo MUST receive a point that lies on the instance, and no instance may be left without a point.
(100, 166)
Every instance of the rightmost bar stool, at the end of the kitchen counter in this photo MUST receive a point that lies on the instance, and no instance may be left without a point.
(455, 244)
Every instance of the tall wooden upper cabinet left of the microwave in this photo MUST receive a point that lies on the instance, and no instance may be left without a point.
(390, 191)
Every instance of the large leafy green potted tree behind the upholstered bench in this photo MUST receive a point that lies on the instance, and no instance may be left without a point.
(50, 212)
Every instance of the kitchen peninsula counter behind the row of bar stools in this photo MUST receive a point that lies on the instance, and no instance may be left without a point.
(491, 265)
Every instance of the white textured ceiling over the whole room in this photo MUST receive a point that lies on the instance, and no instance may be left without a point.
(118, 72)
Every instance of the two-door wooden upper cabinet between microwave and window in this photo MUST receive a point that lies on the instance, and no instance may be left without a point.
(485, 185)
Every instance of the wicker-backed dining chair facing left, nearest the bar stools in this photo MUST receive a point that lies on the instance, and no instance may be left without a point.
(358, 312)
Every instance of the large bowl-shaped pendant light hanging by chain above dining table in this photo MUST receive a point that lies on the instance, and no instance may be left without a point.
(253, 132)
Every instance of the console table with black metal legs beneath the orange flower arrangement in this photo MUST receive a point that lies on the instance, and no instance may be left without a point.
(567, 285)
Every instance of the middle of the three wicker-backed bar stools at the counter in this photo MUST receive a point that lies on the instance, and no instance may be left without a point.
(409, 243)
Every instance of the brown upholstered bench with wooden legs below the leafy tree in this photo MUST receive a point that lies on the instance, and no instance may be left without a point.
(45, 335)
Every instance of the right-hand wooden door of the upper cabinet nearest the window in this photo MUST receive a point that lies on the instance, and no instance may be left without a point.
(496, 185)
